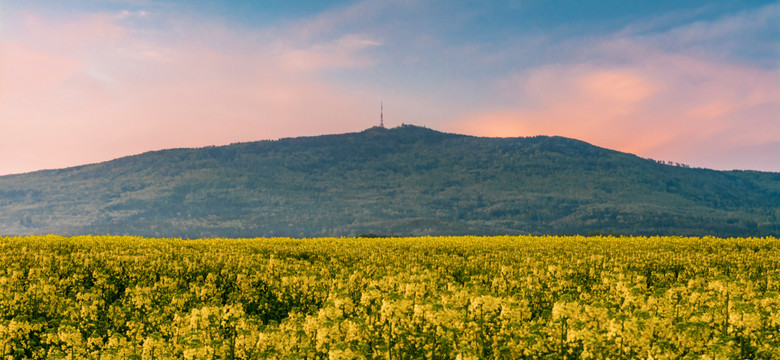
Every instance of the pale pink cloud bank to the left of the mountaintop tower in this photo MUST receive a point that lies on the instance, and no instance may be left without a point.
(90, 90)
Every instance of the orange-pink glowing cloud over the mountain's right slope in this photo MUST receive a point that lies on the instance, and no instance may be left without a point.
(660, 105)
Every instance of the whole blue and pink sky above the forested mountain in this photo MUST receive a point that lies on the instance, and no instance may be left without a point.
(693, 82)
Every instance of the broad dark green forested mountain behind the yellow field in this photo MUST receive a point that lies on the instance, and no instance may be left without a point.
(407, 180)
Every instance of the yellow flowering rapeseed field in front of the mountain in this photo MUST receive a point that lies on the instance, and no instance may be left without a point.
(390, 298)
